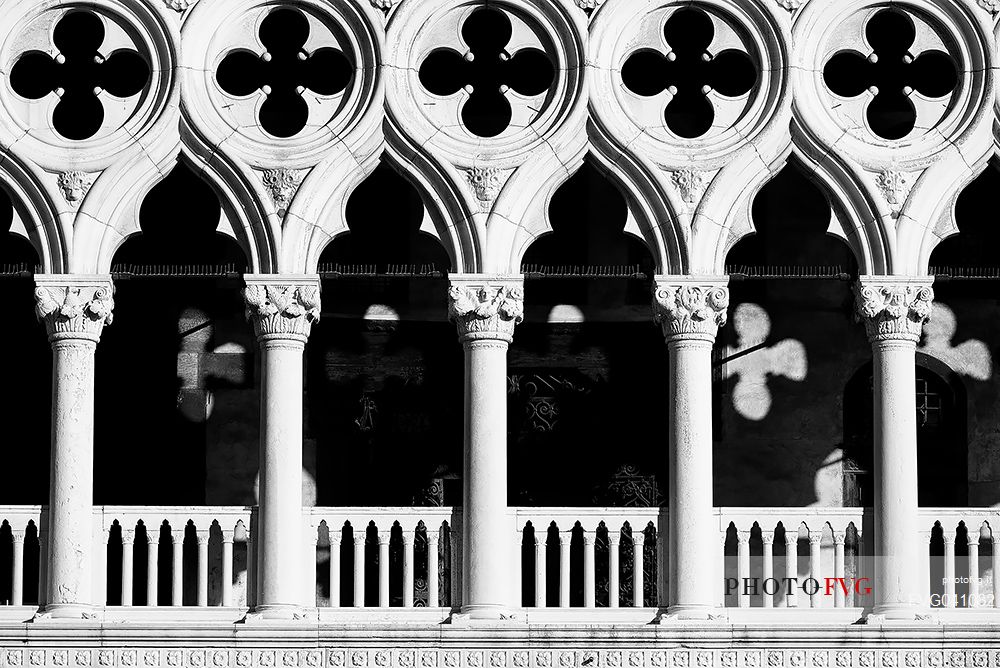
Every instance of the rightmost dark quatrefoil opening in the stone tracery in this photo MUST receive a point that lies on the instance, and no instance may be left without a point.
(891, 73)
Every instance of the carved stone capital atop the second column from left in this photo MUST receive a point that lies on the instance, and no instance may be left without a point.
(282, 306)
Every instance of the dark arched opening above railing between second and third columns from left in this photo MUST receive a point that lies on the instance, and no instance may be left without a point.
(384, 392)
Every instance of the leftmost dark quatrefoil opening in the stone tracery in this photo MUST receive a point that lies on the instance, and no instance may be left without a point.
(80, 75)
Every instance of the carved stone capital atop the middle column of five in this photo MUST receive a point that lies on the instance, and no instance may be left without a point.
(484, 307)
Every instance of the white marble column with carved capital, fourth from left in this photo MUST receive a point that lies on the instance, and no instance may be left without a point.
(690, 310)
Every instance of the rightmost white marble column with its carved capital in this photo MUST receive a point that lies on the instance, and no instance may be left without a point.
(894, 310)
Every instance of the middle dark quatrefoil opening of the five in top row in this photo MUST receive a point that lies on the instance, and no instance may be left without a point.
(490, 76)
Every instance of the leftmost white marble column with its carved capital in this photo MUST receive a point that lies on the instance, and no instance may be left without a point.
(74, 309)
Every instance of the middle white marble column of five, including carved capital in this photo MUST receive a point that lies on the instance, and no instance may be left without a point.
(485, 310)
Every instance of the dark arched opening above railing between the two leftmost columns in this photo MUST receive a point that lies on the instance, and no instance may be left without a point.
(175, 383)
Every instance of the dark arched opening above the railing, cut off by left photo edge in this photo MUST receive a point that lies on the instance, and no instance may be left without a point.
(25, 396)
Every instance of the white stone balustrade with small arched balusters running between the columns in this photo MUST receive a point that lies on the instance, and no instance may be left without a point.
(562, 557)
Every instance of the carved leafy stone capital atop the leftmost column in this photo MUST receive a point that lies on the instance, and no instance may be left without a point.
(74, 307)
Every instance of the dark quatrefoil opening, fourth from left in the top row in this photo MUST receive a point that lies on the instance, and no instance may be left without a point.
(690, 75)
